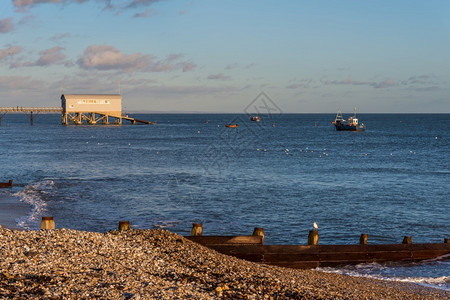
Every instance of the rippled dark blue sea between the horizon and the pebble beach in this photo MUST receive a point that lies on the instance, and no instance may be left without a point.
(281, 174)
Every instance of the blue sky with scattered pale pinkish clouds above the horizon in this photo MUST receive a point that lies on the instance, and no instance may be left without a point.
(221, 56)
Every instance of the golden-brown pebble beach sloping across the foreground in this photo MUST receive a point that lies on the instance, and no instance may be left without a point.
(159, 264)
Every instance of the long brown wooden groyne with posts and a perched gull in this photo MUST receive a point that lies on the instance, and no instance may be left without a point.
(252, 248)
